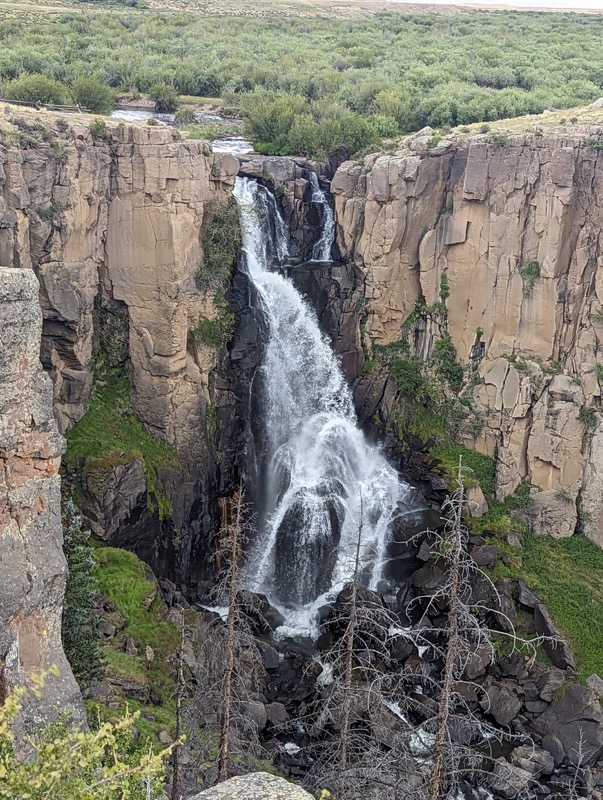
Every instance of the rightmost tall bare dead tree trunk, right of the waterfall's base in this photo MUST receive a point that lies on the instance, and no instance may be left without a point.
(452, 645)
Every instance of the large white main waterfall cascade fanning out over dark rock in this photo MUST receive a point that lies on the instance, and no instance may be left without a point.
(321, 479)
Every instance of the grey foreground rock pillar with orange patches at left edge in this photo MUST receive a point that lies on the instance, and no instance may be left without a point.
(32, 565)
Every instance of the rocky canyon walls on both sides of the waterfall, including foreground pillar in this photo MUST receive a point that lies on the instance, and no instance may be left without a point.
(490, 244)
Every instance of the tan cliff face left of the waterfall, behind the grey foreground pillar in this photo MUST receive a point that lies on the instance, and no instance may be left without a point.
(112, 229)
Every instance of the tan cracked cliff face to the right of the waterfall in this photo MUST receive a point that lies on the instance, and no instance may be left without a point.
(511, 229)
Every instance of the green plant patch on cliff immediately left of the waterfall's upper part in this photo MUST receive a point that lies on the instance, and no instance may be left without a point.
(221, 236)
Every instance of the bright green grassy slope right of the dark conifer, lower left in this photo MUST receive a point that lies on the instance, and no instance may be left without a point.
(123, 579)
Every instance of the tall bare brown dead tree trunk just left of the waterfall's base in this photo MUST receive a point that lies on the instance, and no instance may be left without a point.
(234, 532)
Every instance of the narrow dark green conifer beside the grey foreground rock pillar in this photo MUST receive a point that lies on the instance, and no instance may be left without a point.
(79, 632)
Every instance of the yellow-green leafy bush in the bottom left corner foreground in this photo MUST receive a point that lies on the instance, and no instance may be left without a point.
(101, 764)
